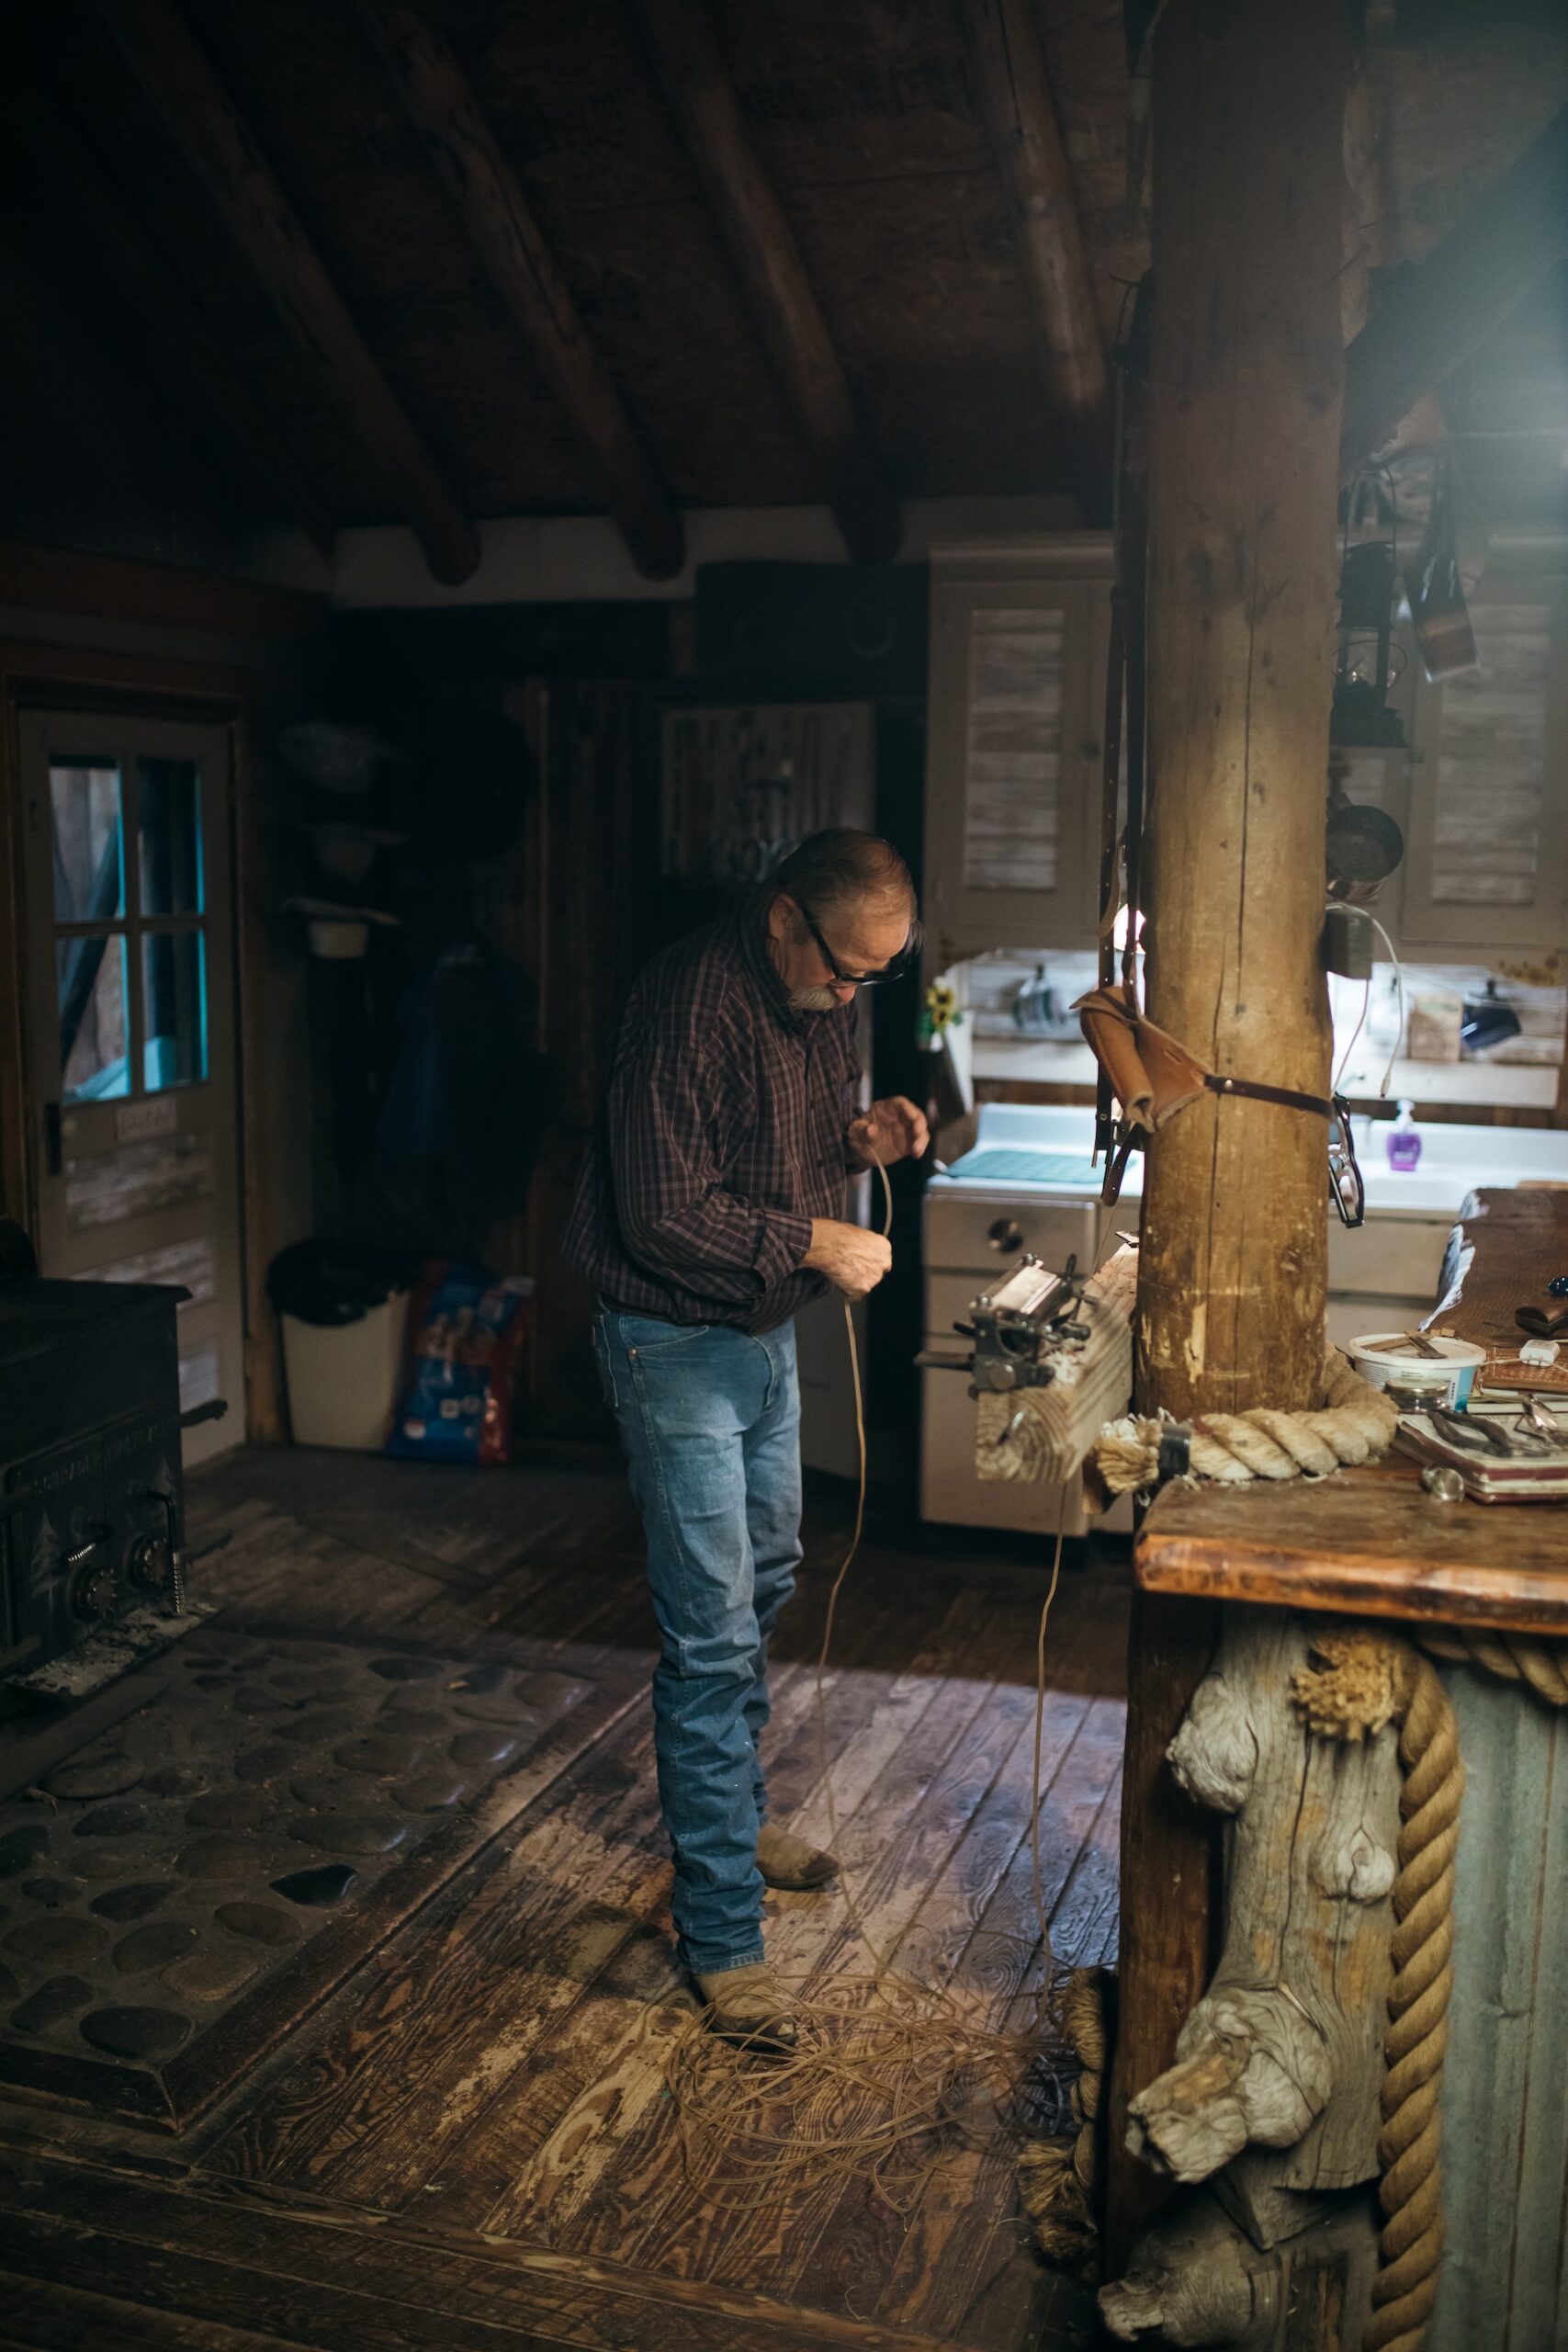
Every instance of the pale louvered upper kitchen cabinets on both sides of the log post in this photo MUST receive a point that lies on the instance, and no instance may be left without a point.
(1019, 641)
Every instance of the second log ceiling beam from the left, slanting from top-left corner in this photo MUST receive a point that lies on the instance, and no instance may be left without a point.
(215, 140)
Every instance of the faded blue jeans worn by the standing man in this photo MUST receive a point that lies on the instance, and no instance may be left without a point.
(711, 1429)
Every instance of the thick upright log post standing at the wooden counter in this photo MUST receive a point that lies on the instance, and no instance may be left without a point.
(1245, 432)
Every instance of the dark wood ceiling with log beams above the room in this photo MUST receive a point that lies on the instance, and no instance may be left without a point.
(497, 258)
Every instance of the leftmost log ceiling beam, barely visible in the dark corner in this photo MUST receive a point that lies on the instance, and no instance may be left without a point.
(65, 175)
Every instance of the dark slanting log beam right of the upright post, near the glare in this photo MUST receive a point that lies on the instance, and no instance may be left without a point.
(1430, 319)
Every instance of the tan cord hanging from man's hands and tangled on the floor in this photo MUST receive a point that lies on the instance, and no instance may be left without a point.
(897, 2071)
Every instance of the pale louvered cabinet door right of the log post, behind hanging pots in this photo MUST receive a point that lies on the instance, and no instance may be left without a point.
(1485, 874)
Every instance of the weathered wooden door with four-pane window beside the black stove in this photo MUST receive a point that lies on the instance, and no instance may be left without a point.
(130, 984)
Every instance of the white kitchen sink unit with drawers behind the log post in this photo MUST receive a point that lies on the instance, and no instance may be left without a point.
(1028, 1184)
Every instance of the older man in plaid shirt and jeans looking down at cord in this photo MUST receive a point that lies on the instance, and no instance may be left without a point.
(711, 1208)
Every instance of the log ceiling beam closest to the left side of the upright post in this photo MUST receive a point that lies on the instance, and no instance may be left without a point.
(1014, 88)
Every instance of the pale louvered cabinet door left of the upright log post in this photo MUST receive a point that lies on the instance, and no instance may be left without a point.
(1014, 766)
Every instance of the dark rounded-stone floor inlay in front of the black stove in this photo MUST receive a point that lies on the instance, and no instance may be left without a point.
(276, 1796)
